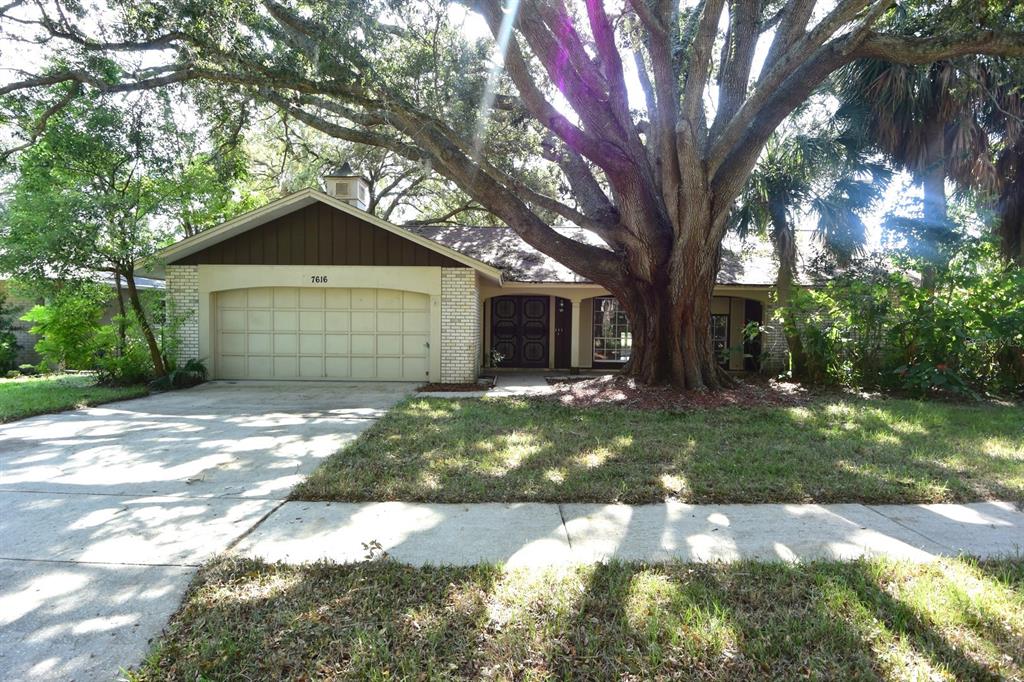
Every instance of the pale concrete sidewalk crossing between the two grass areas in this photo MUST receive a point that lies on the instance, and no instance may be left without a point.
(542, 535)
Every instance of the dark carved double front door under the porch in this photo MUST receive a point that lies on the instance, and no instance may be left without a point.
(520, 328)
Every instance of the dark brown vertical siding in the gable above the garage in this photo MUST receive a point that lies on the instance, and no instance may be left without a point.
(318, 235)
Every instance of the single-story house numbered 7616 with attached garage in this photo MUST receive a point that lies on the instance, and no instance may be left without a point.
(314, 287)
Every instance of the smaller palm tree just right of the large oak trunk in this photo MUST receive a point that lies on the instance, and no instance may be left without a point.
(827, 176)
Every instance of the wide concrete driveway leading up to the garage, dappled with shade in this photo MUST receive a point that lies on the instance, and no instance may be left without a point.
(106, 513)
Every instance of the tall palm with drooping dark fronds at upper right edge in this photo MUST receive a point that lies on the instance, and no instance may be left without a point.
(957, 120)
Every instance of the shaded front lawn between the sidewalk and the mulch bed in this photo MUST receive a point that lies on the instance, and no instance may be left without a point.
(840, 450)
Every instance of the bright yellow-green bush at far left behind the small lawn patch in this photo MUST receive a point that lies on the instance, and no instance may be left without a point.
(69, 327)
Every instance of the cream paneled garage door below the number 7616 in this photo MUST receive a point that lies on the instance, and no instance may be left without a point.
(301, 333)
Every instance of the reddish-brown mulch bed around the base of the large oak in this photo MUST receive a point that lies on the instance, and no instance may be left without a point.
(624, 392)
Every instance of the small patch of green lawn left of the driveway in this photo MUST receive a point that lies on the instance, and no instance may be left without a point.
(38, 396)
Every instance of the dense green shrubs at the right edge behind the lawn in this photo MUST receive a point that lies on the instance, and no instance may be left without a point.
(879, 328)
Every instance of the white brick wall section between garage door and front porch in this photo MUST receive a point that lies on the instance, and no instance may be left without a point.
(461, 313)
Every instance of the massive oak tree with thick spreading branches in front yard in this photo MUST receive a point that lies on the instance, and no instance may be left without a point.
(655, 181)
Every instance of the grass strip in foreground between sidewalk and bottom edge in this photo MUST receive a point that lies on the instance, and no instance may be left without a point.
(244, 620)
